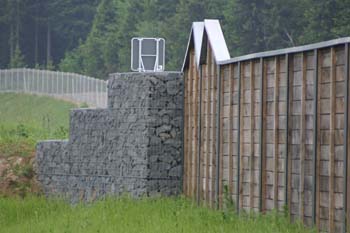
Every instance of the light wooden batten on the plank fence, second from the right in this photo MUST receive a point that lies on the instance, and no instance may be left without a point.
(302, 137)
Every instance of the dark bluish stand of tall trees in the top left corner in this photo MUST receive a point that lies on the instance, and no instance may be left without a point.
(44, 30)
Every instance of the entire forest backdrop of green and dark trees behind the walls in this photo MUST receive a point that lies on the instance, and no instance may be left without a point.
(92, 37)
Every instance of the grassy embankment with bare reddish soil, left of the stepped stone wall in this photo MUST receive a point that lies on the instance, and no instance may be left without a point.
(24, 120)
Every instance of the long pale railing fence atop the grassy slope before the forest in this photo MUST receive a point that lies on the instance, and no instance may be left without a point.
(61, 85)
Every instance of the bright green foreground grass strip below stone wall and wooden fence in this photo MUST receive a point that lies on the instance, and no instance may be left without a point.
(35, 214)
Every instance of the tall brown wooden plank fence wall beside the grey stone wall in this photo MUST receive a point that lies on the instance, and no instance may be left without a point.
(266, 132)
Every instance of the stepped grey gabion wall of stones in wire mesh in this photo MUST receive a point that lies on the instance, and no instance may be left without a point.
(134, 146)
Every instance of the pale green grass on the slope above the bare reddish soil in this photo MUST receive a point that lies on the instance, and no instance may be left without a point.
(26, 119)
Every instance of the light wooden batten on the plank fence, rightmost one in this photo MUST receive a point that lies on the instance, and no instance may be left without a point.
(332, 143)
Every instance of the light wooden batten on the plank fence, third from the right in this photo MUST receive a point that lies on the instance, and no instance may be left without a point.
(276, 128)
